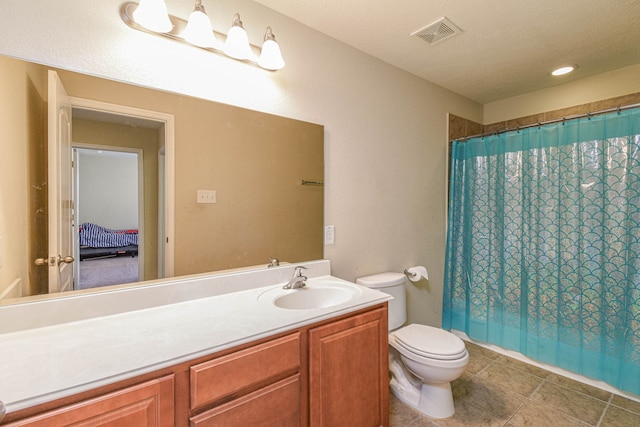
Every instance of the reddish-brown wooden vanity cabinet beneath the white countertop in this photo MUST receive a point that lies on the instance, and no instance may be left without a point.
(331, 373)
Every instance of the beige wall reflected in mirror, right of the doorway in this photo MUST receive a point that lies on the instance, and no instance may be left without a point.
(256, 163)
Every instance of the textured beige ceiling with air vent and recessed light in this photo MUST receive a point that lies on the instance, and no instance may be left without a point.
(507, 48)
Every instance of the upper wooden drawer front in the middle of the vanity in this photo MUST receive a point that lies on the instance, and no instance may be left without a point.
(252, 367)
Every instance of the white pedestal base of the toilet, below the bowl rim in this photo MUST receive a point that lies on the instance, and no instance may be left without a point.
(433, 400)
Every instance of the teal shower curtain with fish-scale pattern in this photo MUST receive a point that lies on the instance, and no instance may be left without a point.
(543, 244)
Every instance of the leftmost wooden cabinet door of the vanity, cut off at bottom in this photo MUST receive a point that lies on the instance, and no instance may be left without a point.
(146, 404)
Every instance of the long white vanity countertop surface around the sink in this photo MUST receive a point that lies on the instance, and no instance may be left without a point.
(45, 363)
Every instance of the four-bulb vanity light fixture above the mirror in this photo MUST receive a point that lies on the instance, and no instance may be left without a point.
(151, 16)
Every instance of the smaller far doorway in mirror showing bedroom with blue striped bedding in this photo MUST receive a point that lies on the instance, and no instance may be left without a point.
(107, 203)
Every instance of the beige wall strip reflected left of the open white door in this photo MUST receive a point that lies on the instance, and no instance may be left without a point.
(22, 121)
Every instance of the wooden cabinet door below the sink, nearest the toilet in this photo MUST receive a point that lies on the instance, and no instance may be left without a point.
(348, 372)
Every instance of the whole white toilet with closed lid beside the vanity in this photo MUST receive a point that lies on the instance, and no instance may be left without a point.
(423, 360)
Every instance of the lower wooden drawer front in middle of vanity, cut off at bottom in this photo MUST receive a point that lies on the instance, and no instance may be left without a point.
(277, 405)
